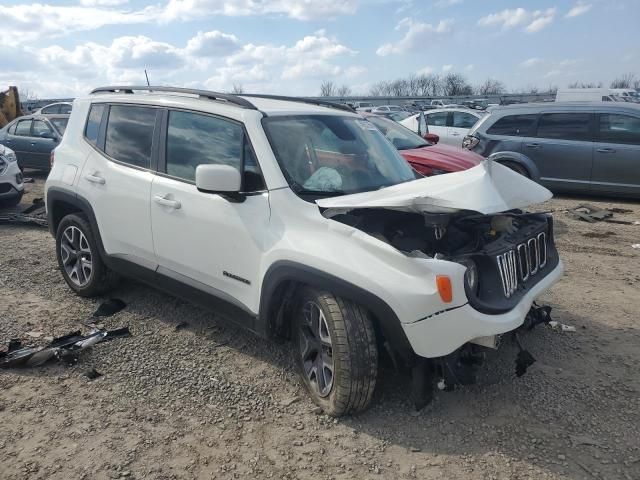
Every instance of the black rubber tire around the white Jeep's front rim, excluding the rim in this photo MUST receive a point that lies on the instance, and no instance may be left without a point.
(354, 353)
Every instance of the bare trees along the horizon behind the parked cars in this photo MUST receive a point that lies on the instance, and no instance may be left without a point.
(453, 84)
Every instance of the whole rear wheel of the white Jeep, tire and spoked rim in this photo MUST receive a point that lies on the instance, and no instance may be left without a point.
(79, 260)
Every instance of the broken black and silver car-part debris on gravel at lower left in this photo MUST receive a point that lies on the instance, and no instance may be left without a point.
(65, 348)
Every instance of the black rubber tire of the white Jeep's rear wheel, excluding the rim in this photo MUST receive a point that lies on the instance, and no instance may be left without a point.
(101, 279)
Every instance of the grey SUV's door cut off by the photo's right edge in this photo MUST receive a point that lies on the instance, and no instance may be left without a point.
(616, 156)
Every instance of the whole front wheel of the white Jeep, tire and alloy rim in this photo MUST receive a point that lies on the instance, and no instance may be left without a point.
(337, 353)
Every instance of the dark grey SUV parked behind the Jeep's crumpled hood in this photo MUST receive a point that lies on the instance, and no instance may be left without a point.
(566, 146)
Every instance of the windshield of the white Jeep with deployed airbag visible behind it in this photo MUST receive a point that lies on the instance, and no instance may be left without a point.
(322, 154)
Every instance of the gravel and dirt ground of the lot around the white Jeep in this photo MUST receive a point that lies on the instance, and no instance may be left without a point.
(212, 401)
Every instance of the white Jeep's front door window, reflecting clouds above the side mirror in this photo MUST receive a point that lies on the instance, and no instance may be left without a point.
(194, 139)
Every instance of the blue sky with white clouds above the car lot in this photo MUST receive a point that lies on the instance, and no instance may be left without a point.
(65, 48)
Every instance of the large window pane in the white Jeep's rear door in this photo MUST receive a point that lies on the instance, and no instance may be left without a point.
(130, 134)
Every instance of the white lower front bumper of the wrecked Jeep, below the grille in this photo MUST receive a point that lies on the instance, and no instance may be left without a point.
(445, 332)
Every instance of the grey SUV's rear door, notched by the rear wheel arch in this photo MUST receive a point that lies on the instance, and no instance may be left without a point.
(563, 149)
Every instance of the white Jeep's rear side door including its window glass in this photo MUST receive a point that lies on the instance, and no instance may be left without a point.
(116, 178)
